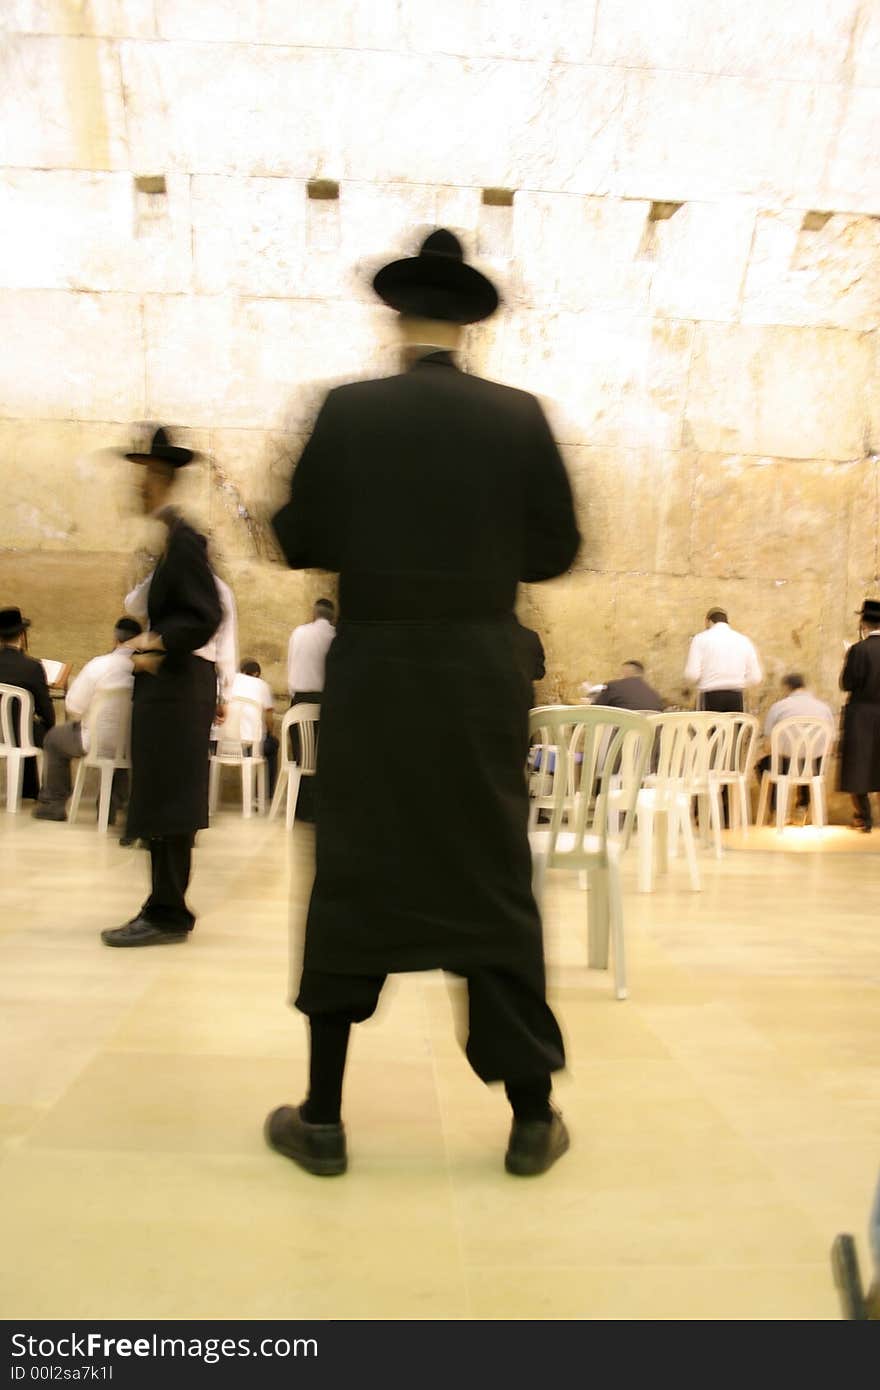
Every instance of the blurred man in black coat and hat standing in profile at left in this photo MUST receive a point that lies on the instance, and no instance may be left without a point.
(173, 707)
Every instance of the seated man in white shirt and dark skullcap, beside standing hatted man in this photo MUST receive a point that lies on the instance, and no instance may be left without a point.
(113, 671)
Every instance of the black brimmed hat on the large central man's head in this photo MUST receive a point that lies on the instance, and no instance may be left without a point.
(437, 284)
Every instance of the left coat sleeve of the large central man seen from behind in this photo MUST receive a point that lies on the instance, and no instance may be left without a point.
(308, 525)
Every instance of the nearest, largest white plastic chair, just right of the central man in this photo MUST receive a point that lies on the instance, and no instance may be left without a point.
(592, 812)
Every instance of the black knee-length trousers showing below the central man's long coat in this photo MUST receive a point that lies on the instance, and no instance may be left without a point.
(512, 1033)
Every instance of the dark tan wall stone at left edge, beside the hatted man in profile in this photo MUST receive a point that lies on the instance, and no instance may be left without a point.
(72, 598)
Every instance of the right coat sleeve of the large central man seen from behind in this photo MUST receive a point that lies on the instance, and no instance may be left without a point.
(553, 539)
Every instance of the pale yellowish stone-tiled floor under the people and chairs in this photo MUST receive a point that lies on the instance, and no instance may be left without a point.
(726, 1118)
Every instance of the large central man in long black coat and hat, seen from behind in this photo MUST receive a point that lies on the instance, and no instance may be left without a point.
(433, 494)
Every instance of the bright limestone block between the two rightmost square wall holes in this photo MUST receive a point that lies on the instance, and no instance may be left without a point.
(700, 258)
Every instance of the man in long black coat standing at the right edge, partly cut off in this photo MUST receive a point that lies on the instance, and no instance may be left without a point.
(860, 755)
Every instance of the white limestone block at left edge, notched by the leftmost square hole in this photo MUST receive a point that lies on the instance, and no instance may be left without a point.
(72, 230)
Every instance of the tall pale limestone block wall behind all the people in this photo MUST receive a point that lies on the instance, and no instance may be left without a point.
(690, 266)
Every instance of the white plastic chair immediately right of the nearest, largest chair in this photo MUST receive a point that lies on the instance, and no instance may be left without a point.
(667, 796)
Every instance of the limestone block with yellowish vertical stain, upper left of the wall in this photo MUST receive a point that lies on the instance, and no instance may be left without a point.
(62, 105)
